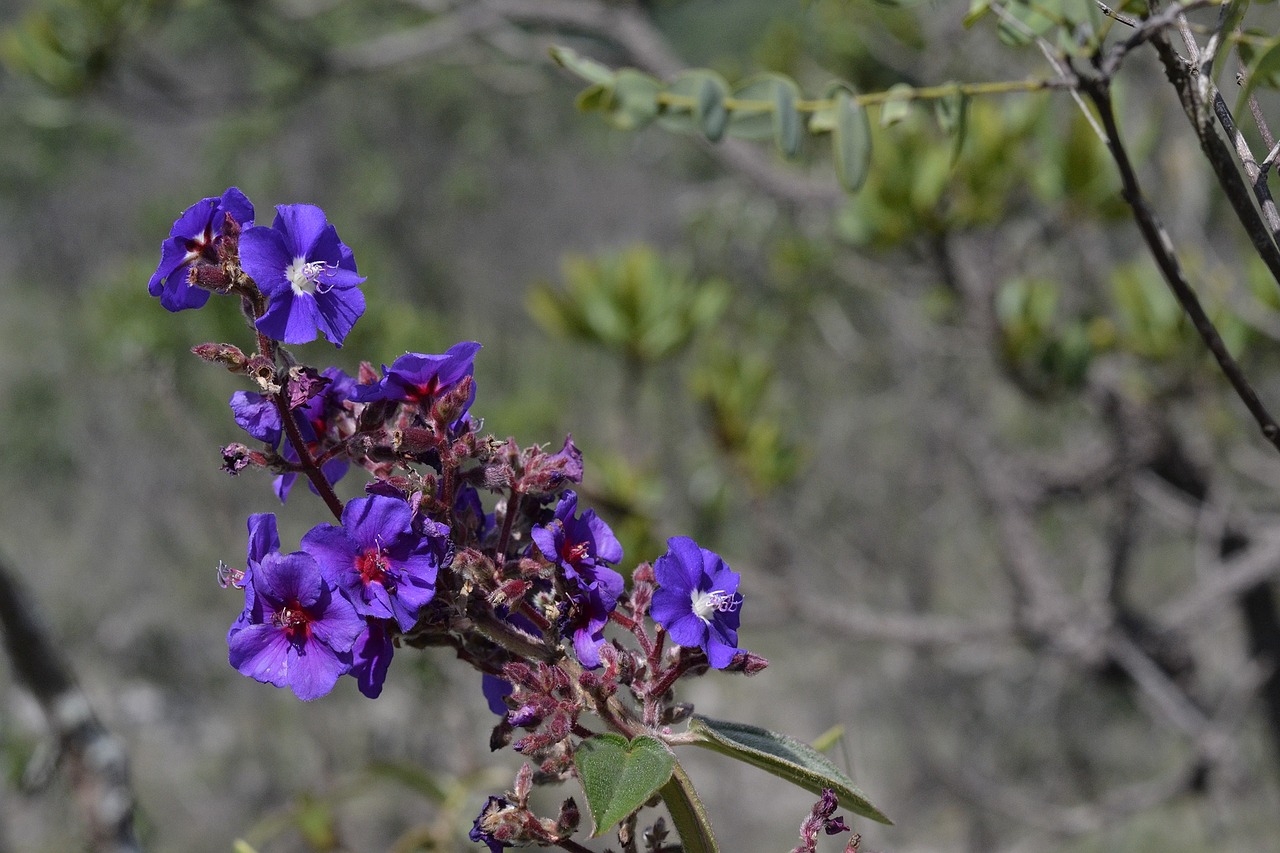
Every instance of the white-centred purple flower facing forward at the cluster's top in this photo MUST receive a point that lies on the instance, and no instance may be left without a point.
(308, 275)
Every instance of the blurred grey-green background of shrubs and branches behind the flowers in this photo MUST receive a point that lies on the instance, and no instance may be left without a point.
(995, 512)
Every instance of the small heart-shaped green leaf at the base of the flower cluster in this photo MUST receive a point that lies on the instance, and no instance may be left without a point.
(619, 777)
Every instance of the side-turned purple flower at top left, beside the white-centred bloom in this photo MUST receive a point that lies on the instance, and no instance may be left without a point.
(195, 239)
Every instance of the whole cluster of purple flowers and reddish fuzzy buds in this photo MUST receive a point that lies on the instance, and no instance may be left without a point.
(525, 591)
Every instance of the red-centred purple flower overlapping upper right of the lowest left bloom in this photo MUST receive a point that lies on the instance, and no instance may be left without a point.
(378, 560)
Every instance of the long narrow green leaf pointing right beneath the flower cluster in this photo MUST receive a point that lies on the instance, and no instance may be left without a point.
(785, 758)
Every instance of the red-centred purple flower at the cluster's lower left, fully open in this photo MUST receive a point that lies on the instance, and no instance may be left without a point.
(296, 630)
